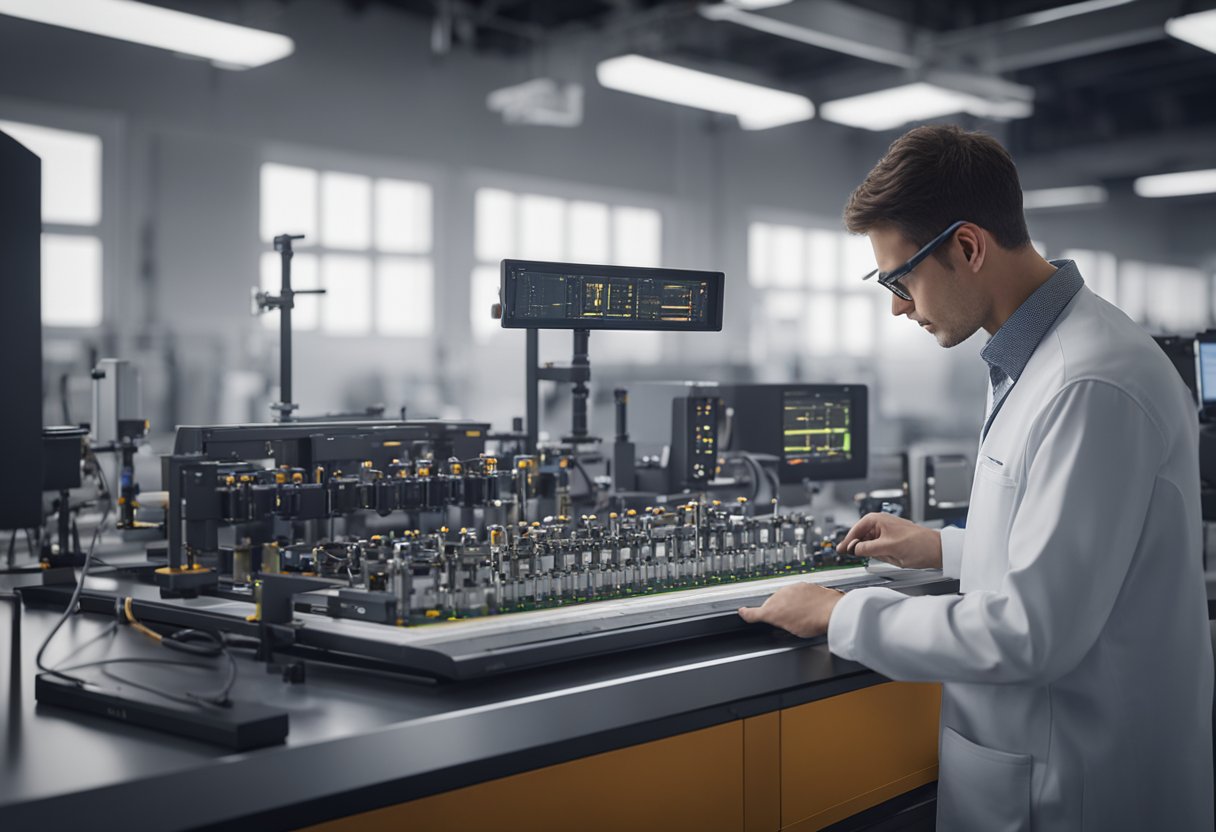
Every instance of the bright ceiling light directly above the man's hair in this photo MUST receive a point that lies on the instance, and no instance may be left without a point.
(887, 110)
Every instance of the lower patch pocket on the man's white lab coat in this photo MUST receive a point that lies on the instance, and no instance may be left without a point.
(982, 789)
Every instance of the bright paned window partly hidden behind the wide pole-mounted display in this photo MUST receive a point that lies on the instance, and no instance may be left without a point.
(532, 227)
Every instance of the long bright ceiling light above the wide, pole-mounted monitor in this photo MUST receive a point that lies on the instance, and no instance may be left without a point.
(757, 108)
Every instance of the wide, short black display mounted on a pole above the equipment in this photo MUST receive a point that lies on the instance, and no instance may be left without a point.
(577, 296)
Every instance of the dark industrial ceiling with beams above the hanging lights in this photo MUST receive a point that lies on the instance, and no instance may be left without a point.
(1096, 77)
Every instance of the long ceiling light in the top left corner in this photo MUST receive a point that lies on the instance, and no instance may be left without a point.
(227, 46)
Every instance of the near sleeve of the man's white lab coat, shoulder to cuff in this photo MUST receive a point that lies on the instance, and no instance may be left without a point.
(1091, 466)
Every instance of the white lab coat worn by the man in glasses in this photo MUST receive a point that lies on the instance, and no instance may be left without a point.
(1077, 661)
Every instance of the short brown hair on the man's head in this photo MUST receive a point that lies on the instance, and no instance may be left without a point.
(934, 176)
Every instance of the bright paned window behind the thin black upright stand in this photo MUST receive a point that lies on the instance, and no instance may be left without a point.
(368, 241)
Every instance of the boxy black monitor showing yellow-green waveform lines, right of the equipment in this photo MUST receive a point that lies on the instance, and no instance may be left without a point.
(817, 431)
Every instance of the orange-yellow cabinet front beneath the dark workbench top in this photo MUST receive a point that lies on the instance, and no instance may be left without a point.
(798, 769)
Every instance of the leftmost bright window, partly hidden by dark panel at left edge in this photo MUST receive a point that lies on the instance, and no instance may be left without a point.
(72, 265)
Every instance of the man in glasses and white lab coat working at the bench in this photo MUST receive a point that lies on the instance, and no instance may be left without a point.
(1076, 662)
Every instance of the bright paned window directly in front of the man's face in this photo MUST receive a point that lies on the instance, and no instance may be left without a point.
(812, 295)
